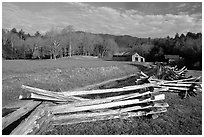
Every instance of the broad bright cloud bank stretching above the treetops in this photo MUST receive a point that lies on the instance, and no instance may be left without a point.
(100, 20)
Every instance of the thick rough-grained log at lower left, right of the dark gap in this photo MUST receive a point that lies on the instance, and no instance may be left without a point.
(31, 124)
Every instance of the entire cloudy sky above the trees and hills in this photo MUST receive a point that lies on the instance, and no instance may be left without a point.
(140, 19)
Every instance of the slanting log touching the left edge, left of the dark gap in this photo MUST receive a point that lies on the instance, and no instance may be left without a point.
(10, 118)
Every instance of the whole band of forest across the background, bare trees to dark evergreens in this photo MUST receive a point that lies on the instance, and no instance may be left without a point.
(57, 43)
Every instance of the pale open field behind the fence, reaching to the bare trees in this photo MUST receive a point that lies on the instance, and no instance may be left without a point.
(61, 74)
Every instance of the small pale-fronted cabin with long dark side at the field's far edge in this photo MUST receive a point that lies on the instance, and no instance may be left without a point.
(128, 56)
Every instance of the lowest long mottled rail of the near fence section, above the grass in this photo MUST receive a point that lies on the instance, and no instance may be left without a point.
(108, 117)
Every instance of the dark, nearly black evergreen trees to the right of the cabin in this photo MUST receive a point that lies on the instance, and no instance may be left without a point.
(188, 46)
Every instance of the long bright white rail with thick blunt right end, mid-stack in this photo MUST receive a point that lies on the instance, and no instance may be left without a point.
(59, 109)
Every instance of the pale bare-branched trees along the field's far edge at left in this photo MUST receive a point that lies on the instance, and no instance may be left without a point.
(54, 44)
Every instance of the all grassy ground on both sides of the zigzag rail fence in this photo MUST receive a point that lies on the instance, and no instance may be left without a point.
(184, 116)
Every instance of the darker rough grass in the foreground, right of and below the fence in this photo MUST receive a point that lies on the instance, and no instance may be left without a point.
(184, 117)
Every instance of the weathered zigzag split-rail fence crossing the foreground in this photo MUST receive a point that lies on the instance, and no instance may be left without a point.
(62, 108)
